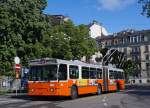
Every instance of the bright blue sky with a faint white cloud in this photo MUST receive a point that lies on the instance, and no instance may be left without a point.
(115, 15)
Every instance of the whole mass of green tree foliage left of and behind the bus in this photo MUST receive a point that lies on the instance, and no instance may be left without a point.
(26, 32)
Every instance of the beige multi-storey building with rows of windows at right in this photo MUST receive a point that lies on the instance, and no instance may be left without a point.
(135, 45)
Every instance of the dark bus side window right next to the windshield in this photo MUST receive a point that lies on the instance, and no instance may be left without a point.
(62, 73)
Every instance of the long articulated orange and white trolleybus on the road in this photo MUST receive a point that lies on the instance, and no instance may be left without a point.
(55, 77)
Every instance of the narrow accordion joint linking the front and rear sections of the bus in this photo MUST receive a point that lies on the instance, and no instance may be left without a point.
(105, 78)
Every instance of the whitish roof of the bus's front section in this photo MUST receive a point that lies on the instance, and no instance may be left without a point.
(46, 61)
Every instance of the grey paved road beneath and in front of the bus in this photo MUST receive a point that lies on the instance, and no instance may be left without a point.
(135, 96)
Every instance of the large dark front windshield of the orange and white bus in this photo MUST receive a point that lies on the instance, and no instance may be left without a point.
(43, 73)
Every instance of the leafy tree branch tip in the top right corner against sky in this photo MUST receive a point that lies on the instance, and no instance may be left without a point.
(146, 7)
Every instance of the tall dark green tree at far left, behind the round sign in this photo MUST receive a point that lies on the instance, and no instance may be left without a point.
(22, 27)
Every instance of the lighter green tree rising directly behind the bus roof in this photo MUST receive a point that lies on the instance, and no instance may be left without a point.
(72, 42)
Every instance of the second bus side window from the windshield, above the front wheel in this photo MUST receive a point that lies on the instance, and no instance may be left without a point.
(73, 72)
